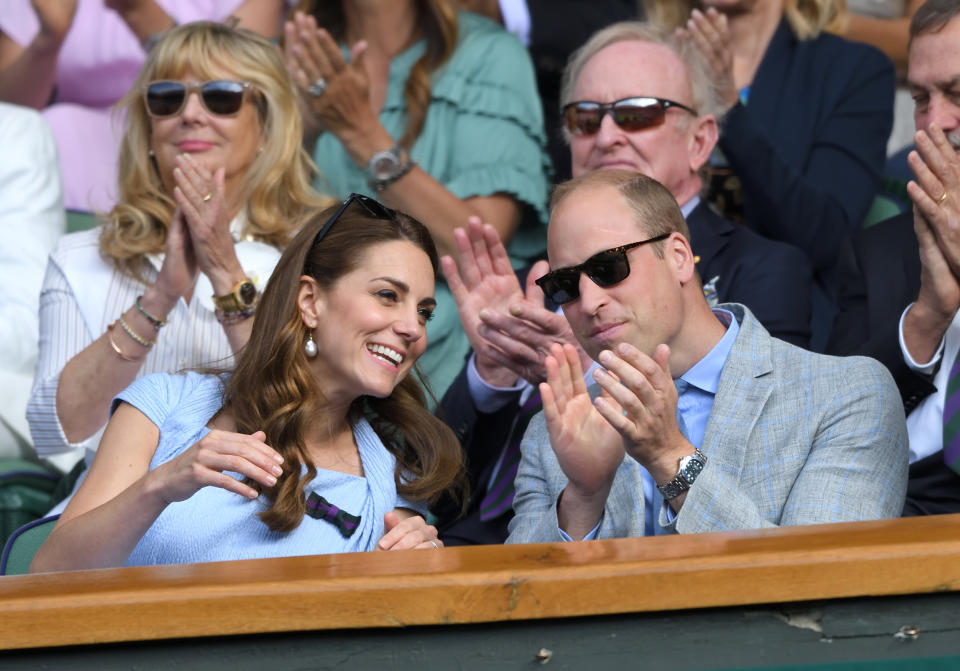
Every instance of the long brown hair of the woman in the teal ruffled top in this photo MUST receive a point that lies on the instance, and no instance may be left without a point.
(436, 19)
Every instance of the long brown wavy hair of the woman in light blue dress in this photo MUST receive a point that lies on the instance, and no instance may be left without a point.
(274, 389)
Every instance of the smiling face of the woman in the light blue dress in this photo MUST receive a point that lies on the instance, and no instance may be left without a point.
(372, 324)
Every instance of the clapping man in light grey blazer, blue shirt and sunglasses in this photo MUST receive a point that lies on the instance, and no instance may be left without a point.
(771, 434)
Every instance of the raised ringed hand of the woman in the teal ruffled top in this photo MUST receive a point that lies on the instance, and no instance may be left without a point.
(344, 107)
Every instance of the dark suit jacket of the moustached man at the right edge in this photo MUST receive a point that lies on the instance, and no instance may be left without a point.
(883, 274)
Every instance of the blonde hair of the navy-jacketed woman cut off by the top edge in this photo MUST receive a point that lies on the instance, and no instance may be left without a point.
(807, 18)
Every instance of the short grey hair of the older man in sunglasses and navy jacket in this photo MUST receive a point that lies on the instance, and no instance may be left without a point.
(705, 93)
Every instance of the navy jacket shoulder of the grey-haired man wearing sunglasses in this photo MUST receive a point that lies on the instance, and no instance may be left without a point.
(773, 279)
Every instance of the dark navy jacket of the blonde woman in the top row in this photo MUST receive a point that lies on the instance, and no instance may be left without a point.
(809, 146)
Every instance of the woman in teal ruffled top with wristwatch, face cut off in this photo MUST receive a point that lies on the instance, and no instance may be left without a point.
(434, 110)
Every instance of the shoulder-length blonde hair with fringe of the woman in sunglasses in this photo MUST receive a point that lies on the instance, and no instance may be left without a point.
(277, 187)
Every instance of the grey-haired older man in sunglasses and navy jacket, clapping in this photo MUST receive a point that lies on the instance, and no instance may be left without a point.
(663, 126)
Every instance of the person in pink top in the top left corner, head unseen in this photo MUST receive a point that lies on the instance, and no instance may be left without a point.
(74, 59)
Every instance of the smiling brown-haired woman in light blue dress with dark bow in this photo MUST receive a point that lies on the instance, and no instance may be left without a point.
(318, 442)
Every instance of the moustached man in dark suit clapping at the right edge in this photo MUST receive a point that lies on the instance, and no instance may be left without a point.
(903, 310)
